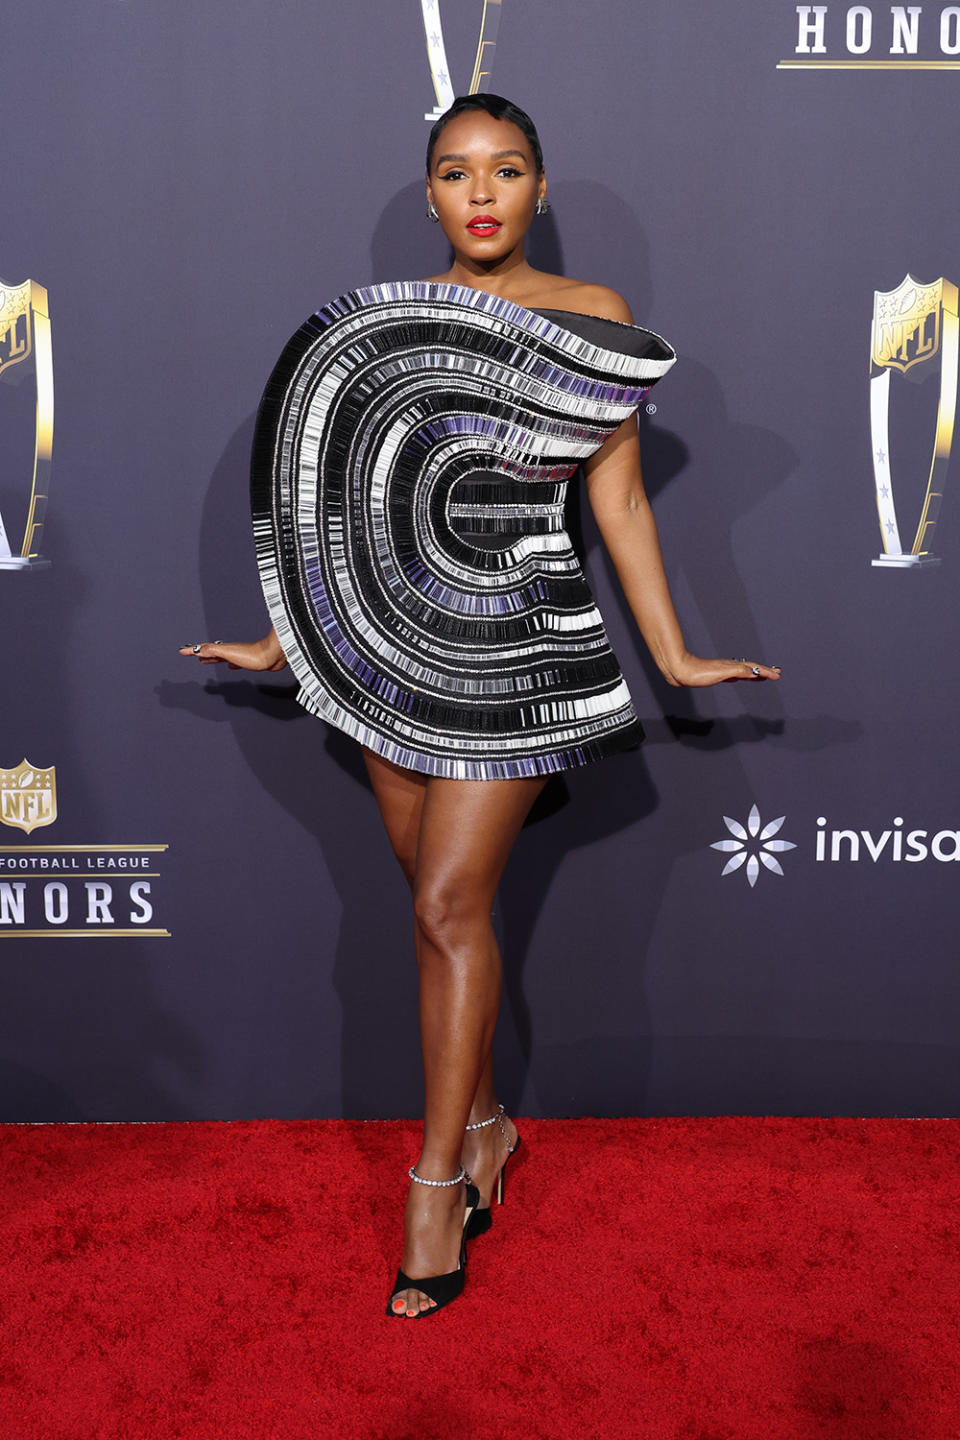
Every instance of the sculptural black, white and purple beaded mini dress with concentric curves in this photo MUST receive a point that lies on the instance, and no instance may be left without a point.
(411, 463)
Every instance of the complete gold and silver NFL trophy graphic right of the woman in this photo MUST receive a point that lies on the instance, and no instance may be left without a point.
(913, 325)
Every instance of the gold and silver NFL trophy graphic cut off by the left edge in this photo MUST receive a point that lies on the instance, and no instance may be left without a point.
(25, 330)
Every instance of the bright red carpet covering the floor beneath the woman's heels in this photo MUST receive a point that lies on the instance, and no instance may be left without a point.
(716, 1279)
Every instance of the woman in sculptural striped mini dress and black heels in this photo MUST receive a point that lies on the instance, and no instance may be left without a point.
(454, 788)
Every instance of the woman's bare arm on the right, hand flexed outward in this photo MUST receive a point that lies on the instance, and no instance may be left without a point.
(627, 523)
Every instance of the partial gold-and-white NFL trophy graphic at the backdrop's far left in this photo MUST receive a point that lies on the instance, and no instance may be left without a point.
(25, 329)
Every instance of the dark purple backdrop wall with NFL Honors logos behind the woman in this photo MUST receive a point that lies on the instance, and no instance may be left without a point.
(199, 912)
